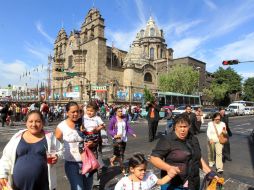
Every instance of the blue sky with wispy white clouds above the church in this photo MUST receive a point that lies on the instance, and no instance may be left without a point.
(208, 30)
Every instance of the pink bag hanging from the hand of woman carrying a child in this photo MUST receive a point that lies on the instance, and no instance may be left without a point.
(89, 161)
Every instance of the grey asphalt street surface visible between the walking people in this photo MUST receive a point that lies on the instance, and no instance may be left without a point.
(238, 174)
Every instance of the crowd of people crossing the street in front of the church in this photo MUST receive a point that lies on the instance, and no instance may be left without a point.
(177, 154)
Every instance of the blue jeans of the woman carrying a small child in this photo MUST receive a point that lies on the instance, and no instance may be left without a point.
(77, 180)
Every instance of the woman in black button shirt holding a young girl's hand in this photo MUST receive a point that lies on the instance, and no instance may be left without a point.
(180, 151)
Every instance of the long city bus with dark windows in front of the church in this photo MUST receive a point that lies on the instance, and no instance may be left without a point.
(174, 100)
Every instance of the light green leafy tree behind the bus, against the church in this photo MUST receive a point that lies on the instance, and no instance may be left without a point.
(181, 78)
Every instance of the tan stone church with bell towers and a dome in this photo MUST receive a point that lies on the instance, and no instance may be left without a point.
(113, 74)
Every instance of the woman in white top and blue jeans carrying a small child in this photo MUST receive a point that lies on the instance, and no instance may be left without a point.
(67, 134)
